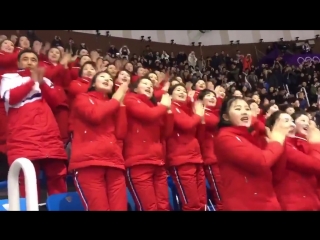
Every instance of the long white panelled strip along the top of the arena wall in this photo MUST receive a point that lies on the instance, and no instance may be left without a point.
(210, 37)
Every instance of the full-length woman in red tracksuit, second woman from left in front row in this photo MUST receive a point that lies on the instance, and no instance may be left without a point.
(148, 124)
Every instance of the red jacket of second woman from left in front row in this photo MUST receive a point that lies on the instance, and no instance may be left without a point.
(147, 126)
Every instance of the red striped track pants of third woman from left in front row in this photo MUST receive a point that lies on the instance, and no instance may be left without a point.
(189, 180)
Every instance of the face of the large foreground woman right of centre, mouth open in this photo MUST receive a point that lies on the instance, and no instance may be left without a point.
(239, 113)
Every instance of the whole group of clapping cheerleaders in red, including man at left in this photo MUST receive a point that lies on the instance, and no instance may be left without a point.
(134, 130)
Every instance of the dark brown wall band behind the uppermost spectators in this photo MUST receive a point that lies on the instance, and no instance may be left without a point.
(136, 46)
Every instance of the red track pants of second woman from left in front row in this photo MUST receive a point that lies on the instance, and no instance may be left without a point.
(149, 187)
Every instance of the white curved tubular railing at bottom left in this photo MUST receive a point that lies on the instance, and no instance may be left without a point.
(30, 185)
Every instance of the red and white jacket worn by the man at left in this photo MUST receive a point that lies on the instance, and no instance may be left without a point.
(32, 130)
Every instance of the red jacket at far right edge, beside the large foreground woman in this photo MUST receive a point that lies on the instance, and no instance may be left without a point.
(298, 189)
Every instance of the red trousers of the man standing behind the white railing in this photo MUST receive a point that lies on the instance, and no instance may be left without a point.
(55, 171)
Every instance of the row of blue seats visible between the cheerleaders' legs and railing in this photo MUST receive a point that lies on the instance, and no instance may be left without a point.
(70, 201)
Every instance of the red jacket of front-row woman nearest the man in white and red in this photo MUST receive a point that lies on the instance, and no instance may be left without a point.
(98, 123)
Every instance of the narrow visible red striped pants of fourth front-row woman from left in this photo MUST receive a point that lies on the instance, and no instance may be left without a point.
(213, 176)
